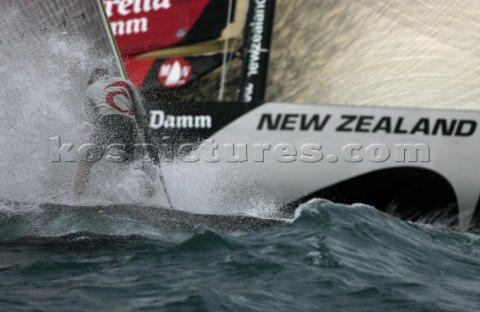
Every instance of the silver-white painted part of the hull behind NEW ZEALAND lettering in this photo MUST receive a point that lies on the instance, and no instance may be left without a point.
(453, 157)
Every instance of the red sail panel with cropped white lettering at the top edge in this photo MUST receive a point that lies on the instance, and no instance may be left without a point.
(145, 25)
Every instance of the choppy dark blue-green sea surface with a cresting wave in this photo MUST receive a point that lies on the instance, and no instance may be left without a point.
(330, 257)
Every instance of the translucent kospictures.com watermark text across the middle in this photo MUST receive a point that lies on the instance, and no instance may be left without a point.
(211, 152)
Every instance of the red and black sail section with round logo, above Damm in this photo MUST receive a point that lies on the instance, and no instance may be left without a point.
(172, 48)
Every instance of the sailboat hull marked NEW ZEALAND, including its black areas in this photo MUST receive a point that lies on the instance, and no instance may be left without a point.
(347, 154)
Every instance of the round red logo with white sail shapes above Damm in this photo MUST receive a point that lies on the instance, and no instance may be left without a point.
(175, 73)
